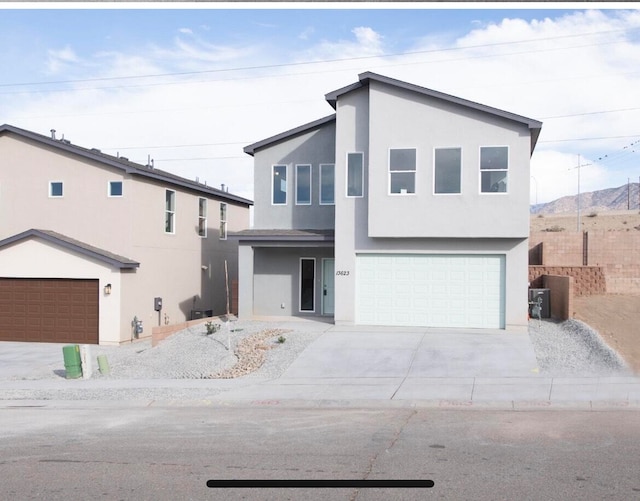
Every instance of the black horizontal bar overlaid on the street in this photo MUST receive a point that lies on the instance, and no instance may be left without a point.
(320, 484)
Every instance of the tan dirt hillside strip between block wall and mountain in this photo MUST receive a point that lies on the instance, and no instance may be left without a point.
(589, 221)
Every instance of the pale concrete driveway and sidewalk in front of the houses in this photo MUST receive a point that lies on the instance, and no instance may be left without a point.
(364, 366)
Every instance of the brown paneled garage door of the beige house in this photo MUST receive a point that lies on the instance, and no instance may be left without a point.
(49, 310)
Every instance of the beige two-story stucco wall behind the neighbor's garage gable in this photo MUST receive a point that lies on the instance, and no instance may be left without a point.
(171, 265)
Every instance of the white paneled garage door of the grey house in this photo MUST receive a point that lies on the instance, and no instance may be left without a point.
(430, 290)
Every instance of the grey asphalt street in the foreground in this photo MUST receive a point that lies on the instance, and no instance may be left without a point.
(85, 450)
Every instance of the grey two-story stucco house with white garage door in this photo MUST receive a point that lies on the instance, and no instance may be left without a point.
(406, 207)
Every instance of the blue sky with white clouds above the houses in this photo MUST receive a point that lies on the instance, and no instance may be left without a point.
(189, 88)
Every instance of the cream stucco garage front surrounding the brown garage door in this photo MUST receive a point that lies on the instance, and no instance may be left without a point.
(37, 259)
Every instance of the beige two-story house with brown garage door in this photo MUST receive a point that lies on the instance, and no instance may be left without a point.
(88, 241)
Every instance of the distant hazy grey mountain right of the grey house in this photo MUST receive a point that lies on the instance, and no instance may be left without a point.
(622, 198)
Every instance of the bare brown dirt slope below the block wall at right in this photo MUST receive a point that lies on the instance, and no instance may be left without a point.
(615, 317)
